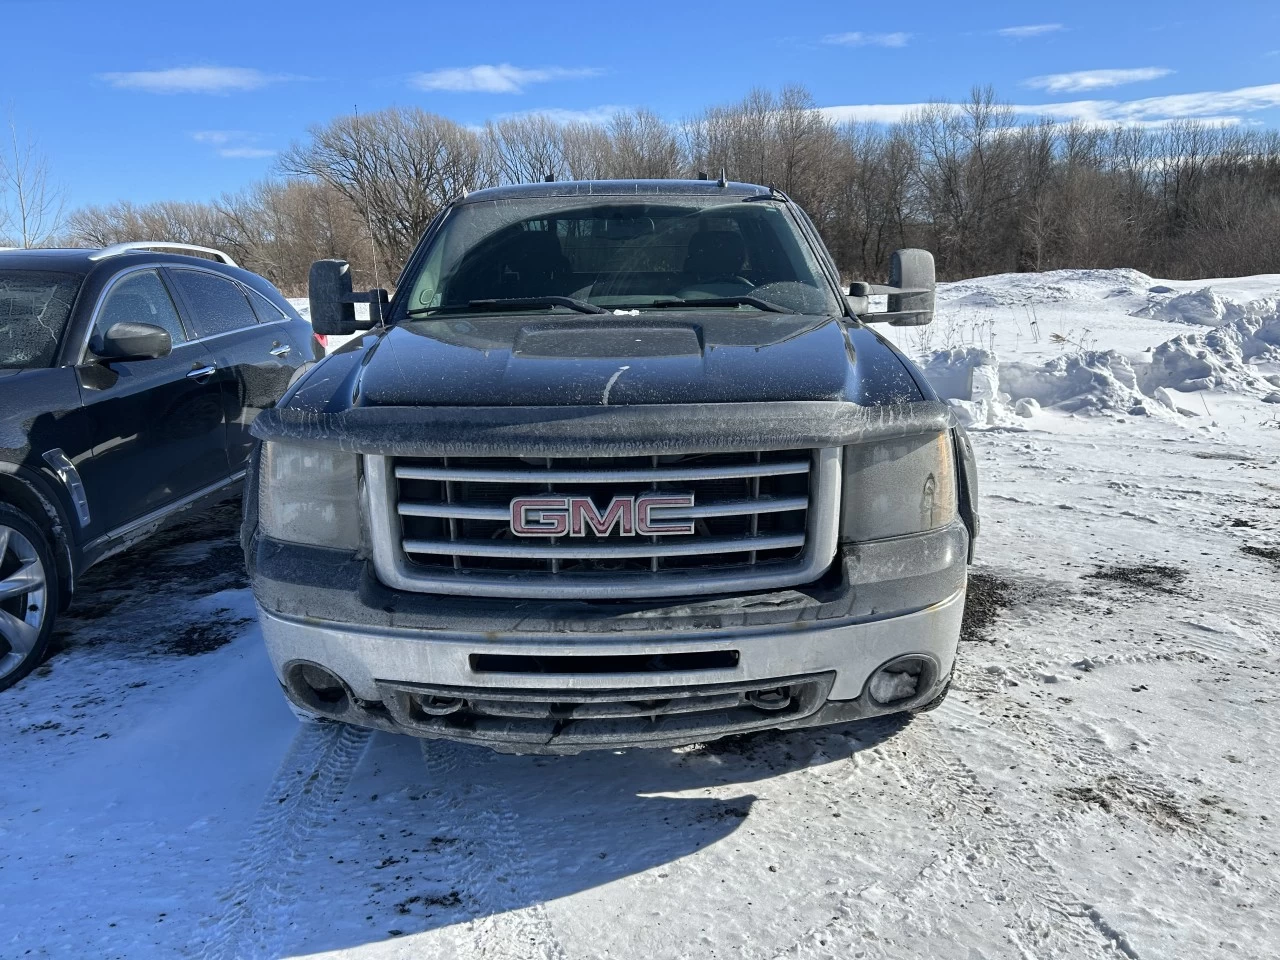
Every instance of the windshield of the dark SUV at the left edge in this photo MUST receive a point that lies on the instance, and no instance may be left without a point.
(34, 310)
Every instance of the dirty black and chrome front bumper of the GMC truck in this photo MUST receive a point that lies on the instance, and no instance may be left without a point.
(569, 676)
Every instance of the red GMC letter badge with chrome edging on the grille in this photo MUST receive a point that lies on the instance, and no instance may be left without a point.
(574, 516)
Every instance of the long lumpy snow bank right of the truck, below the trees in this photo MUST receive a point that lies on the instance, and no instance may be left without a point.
(1235, 348)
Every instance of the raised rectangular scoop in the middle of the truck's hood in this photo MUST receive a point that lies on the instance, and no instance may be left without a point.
(577, 341)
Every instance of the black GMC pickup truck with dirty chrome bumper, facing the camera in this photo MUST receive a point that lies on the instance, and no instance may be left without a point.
(621, 464)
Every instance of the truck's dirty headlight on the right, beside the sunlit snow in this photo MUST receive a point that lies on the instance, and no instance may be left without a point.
(894, 488)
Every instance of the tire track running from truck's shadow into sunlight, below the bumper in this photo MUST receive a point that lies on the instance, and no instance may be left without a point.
(496, 880)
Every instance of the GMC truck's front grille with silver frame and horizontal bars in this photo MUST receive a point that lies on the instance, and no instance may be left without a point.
(758, 520)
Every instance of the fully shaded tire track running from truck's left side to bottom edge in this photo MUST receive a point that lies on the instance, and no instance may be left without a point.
(267, 880)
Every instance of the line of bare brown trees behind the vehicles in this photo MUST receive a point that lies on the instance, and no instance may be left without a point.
(982, 190)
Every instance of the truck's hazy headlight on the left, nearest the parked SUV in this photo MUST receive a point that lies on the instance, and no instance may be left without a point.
(309, 496)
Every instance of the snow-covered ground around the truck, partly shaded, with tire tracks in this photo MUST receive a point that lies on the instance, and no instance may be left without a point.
(1100, 784)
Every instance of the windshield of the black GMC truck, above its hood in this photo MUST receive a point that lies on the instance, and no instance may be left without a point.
(621, 255)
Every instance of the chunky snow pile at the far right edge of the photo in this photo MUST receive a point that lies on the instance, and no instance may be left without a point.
(1218, 359)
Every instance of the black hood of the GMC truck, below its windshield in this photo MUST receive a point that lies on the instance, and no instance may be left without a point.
(707, 358)
